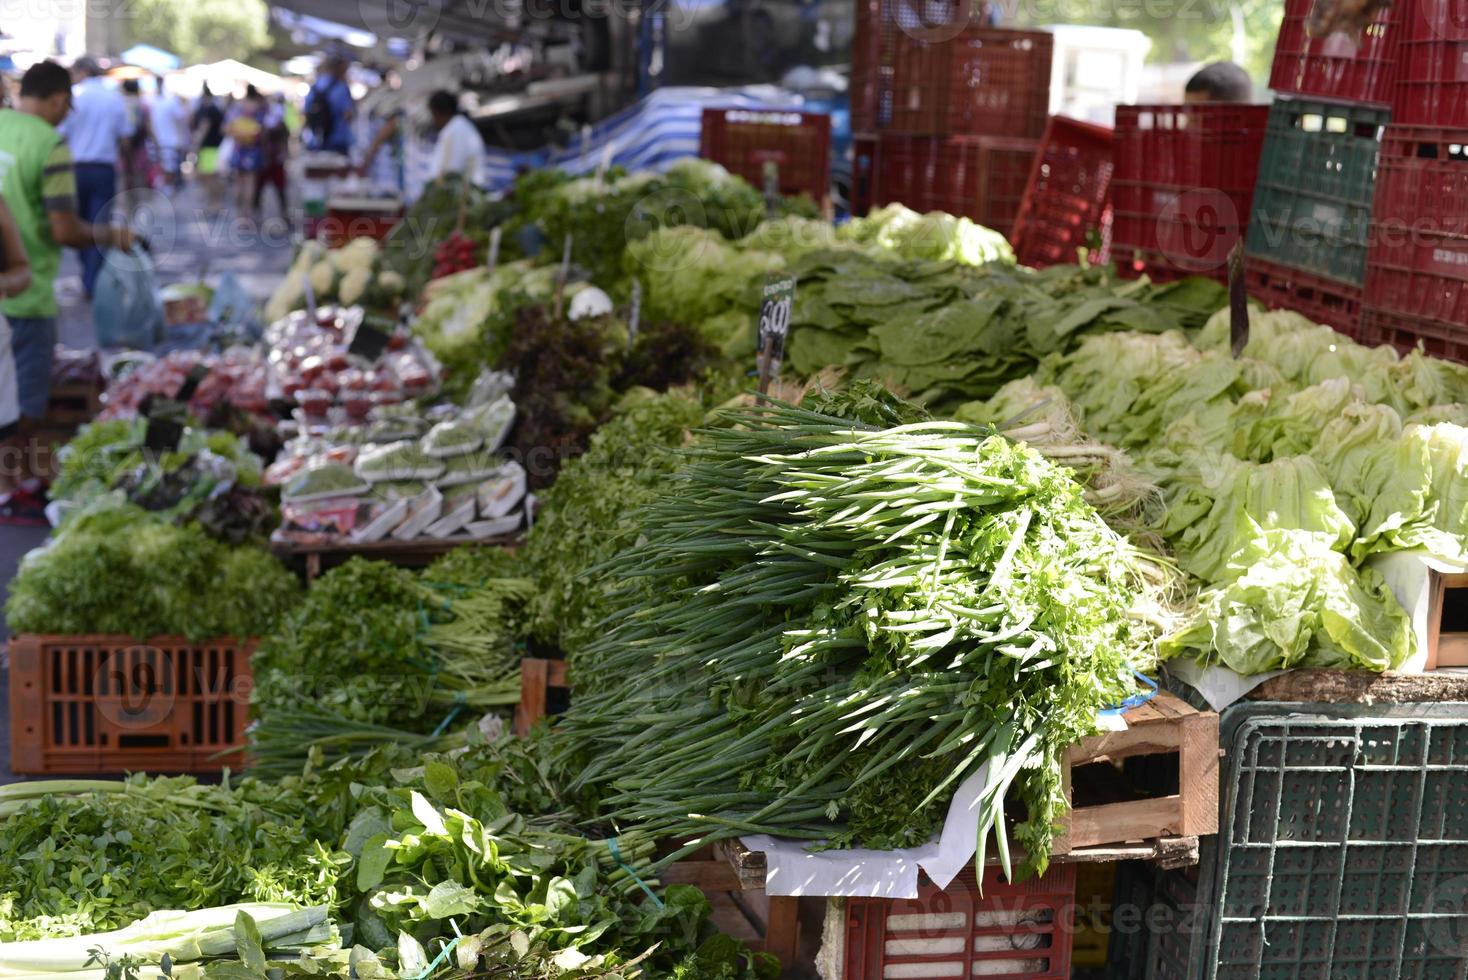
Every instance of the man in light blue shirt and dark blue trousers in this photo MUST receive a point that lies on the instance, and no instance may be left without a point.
(95, 131)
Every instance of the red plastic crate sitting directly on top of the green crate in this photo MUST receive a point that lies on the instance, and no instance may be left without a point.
(1337, 67)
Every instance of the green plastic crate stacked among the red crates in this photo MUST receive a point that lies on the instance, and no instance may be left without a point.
(1318, 180)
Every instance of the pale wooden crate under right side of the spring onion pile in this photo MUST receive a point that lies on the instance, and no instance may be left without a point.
(1163, 727)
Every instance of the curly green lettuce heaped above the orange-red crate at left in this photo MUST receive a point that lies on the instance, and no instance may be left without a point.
(124, 571)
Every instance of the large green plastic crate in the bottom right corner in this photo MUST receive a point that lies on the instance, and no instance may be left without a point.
(1345, 846)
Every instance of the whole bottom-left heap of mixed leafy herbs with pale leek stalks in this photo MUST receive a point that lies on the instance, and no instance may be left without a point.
(419, 860)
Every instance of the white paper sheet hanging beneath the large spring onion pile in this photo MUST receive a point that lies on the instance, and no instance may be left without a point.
(865, 874)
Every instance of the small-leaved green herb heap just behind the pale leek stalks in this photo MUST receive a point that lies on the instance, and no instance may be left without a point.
(117, 852)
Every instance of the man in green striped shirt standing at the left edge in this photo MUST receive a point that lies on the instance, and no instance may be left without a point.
(40, 189)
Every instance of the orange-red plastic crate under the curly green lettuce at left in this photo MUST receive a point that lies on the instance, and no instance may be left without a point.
(114, 705)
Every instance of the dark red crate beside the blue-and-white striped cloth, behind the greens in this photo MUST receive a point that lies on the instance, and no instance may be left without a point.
(745, 140)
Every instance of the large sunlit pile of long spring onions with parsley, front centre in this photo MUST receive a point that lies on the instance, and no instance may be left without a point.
(829, 626)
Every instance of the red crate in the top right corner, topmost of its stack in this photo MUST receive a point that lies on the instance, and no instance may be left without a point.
(1432, 65)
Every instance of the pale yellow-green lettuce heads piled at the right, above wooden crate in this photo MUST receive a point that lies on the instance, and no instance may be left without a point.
(1284, 473)
